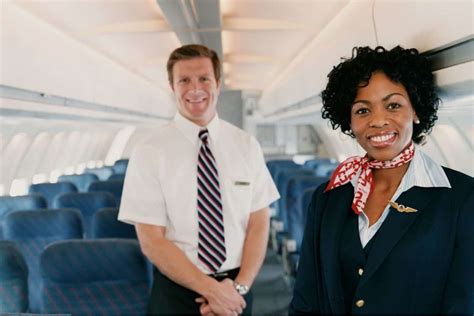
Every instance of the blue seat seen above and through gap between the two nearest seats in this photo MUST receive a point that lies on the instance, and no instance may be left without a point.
(32, 231)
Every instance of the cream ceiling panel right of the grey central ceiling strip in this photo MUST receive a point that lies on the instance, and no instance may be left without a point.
(267, 35)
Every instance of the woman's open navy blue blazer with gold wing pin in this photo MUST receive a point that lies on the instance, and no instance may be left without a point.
(421, 262)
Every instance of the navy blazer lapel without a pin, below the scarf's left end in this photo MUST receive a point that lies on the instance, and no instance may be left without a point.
(338, 204)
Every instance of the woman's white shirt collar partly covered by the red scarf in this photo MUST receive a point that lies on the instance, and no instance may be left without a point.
(422, 172)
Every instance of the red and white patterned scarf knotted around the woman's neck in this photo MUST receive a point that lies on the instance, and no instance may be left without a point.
(351, 166)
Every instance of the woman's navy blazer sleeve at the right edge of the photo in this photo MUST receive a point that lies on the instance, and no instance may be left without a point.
(459, 290)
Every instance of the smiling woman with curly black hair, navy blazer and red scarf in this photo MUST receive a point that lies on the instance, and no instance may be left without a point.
(392, 232)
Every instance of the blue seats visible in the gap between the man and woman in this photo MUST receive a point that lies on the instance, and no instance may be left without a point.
(296, 184)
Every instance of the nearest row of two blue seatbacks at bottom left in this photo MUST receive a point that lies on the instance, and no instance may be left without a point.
(79, 277)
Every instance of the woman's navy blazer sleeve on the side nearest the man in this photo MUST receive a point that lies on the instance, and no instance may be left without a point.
(306, 295)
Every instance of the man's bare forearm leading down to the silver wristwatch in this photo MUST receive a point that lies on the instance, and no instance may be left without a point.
(255, 246)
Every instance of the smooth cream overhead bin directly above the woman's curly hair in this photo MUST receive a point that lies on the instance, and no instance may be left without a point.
(425, 25)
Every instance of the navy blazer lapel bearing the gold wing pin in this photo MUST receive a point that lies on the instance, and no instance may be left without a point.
(394, 228)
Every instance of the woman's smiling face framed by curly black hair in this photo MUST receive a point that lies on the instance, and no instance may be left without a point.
(382, 117)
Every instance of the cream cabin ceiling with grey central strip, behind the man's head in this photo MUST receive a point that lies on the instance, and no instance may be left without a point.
(257, 40)
